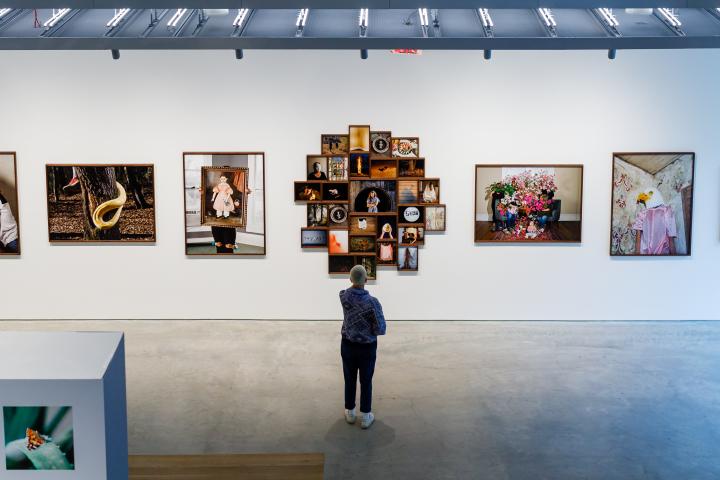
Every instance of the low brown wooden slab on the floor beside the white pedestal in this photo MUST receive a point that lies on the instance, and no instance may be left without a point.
(300, 466)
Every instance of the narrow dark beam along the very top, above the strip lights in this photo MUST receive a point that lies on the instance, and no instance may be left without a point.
(356, 4)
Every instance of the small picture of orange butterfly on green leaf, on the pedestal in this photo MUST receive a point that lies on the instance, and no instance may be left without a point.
(39, 438)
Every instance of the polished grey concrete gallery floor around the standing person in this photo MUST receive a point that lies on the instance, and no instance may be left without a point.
(454, 400)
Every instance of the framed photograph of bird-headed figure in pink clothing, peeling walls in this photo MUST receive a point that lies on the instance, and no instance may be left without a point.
(652, 204)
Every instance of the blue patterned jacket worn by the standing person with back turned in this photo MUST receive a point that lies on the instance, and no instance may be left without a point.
(364, 319)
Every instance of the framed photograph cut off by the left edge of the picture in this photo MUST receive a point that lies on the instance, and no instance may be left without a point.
(9, 227)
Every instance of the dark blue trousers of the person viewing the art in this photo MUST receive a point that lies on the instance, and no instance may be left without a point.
(358, 358)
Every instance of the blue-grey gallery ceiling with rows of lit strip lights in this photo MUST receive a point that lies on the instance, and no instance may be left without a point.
(372, 24)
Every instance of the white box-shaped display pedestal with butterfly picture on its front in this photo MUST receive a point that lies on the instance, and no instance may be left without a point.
(81, 370)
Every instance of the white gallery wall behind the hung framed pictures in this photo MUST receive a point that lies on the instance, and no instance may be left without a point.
(521, 107)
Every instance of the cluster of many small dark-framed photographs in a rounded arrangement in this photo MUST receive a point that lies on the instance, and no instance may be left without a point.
(368, 200)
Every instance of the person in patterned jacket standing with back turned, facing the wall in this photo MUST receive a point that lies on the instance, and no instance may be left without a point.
(362, 323)
